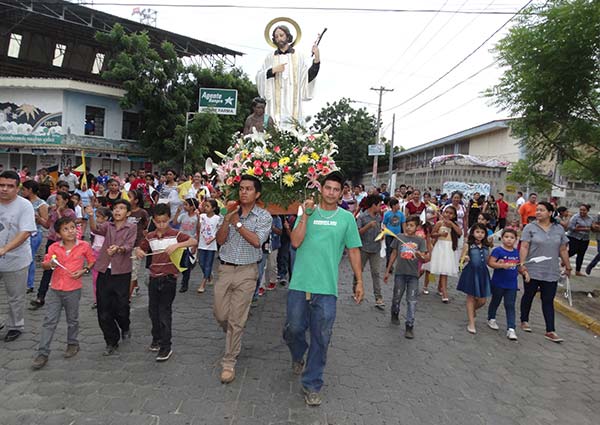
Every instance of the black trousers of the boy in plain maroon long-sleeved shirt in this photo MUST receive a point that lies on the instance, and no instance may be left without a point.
(112, 293)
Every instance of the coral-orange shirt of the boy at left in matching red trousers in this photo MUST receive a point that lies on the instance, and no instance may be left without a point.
(72, 260)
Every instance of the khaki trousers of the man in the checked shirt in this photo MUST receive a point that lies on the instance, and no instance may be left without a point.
(234, 289)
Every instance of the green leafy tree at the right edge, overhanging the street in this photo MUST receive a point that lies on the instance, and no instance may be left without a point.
(552, 83)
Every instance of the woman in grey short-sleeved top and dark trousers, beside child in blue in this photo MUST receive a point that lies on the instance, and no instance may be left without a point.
(545, 238)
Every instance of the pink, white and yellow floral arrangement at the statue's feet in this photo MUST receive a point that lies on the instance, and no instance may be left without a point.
(288, 162)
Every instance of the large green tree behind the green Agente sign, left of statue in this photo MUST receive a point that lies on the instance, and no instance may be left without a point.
(165, 89)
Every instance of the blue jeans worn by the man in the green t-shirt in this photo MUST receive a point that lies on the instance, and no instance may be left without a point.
(318, 315)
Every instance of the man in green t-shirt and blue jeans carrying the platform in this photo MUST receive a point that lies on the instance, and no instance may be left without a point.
(320, 236)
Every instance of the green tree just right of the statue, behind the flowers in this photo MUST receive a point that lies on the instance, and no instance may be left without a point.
(353, 130)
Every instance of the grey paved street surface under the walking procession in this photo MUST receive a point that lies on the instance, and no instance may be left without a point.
(374, 375)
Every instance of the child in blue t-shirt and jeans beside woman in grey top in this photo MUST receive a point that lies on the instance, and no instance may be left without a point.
(505, 262)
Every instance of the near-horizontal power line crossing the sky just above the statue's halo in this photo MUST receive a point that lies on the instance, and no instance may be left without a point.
(322, 9)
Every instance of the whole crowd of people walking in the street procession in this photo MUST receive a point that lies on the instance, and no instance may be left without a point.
(167, 223)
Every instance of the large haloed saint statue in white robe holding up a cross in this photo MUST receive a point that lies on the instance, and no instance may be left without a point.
(287, 78)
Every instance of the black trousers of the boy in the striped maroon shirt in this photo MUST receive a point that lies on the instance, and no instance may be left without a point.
(161, 293)
